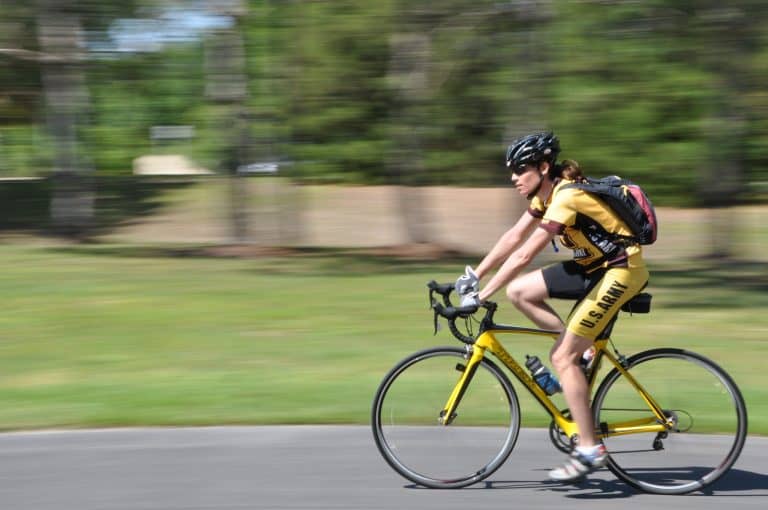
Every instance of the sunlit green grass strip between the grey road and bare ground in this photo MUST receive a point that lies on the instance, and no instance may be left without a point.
(113, 336)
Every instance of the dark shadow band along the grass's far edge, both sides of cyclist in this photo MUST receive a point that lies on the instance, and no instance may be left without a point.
(749, 279)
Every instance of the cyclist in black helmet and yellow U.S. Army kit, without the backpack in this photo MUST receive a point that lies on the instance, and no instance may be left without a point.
(603, 274)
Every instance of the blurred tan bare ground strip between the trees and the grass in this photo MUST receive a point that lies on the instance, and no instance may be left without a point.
(285, 220)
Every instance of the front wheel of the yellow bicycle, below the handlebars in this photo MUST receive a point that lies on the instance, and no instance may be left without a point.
(406, 411)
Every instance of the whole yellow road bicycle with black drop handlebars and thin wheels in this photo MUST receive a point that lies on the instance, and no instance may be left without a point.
(449, 417)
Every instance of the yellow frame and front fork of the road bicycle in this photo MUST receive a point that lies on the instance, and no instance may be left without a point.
(487, 341)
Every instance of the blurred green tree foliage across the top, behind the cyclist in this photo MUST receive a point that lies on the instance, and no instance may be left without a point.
(646, 89)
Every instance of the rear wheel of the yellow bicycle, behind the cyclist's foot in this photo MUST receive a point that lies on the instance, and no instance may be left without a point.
(701, 397)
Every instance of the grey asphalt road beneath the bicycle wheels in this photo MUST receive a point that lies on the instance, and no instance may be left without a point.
(224, 468)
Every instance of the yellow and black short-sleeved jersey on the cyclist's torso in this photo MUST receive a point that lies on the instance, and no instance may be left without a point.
(585, 224)
